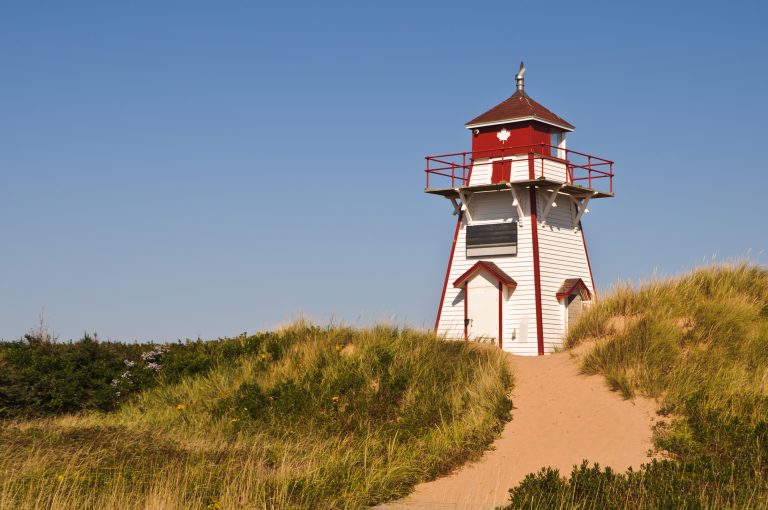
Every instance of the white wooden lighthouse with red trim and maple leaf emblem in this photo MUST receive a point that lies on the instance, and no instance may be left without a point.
(518, 272)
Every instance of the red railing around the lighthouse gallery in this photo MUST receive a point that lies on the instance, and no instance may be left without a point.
(580, 168)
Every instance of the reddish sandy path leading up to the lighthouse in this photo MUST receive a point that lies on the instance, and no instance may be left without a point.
(560, 417)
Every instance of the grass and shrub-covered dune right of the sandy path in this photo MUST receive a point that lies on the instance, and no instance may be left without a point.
(699, 345)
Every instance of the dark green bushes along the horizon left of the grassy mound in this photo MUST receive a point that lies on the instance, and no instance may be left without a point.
(42, 378)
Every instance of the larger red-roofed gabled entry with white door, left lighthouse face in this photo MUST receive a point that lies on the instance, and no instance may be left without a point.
(486, 287)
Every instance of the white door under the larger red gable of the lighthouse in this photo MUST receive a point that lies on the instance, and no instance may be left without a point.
(483, 307)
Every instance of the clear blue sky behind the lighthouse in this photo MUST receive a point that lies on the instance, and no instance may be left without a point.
(183, 169)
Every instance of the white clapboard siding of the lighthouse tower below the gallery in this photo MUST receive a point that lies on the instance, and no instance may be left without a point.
(562, 255)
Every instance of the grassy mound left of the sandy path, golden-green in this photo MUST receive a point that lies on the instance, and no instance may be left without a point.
(305, 418)
